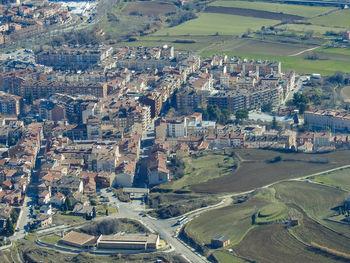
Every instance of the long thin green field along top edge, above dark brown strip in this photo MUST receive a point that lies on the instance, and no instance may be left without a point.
(300, 10)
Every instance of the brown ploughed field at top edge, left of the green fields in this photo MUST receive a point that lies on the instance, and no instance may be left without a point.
(150, 8)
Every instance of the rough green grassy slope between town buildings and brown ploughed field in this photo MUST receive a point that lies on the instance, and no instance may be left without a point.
(200, 169)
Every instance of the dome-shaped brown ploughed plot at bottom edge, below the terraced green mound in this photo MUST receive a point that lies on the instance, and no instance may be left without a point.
(273, 244)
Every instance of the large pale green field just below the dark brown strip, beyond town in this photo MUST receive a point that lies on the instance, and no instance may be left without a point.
(210, 24)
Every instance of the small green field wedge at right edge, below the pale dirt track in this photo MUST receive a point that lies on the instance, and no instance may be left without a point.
(340, 178)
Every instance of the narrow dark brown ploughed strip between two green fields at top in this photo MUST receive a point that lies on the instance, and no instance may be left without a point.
(251, 13)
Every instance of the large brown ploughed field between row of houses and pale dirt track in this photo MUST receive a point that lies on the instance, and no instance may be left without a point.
(255, 172)
